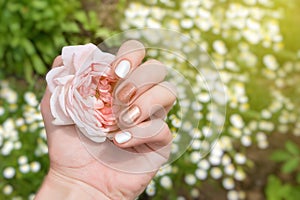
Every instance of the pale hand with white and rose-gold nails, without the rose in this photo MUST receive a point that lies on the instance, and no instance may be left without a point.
(142, 100)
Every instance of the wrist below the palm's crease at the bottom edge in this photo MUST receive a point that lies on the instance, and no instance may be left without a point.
(58, 186)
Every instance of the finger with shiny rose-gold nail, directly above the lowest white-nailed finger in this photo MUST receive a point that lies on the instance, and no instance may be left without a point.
(157, 98)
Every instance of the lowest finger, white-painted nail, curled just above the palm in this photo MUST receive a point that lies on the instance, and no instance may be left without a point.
(155, 133)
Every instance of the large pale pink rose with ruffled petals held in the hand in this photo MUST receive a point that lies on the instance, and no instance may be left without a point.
(82, 91)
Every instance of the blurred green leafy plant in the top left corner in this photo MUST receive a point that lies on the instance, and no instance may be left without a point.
(33, 32)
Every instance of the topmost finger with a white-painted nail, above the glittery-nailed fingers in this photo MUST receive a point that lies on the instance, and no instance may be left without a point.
(129, 56)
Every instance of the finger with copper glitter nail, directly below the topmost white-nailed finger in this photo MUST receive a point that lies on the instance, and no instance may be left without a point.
(141, 79)
